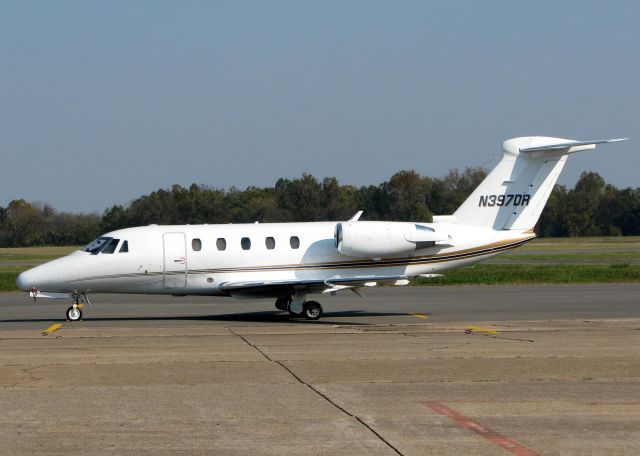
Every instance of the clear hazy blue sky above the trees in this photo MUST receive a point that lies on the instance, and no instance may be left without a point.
(101, 102)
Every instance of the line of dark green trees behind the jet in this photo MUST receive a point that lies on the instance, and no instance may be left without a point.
(591, 208)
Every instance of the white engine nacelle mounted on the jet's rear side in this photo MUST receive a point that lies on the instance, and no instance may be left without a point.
(383, 239)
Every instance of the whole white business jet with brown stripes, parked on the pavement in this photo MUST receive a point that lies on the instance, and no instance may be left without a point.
(290, 261)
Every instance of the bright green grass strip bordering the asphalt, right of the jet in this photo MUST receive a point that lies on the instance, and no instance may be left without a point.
(503, 274)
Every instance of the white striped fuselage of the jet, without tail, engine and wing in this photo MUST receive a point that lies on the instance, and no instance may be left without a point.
(198, 259)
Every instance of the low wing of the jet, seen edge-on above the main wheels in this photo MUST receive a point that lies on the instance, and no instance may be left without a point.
(275, 288)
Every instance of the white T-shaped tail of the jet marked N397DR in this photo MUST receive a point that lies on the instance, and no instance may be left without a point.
(515, 192)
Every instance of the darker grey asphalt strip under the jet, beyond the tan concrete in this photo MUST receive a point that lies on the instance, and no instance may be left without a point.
(382, 306)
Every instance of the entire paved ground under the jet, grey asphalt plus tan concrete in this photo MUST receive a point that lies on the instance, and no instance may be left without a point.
(482, 370)
